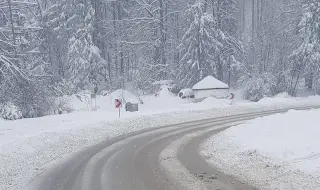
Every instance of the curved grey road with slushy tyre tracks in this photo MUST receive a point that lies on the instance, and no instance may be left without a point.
(157, 159)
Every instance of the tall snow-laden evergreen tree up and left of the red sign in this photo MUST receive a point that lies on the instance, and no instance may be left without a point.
(84, 61)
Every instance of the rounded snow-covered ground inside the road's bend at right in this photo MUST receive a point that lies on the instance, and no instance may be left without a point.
(275, 152)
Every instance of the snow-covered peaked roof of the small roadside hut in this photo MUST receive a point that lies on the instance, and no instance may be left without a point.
(210, 83)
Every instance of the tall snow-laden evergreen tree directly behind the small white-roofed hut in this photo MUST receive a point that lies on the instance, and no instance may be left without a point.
(199, 47)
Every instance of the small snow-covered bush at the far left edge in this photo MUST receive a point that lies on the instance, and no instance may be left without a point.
(9, 111)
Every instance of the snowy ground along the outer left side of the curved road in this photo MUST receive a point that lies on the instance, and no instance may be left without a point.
(28, 146)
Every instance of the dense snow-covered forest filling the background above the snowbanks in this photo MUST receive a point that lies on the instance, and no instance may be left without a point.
(51, 48)
